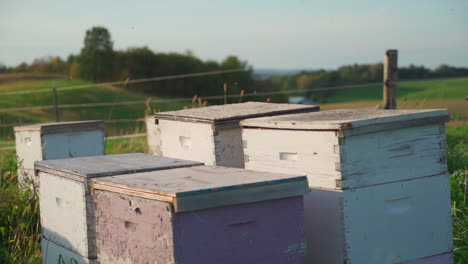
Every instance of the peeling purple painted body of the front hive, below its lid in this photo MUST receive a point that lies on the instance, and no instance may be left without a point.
(247, 233)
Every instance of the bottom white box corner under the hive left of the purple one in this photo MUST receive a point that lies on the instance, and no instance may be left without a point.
(55, 254)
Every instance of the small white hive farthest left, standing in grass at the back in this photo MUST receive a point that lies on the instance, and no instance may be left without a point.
(55, 141)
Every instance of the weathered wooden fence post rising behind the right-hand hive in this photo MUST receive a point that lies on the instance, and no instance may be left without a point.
(390, 79)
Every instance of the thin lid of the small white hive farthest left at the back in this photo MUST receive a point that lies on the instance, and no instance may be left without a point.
(63, 127)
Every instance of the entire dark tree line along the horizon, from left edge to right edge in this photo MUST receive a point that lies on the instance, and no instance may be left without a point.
(99, 62)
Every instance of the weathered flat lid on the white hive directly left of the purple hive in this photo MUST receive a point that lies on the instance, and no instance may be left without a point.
(100, 166)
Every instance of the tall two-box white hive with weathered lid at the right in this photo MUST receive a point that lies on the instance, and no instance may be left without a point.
(379, 184)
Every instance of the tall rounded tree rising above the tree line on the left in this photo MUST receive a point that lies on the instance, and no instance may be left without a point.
(96, 57)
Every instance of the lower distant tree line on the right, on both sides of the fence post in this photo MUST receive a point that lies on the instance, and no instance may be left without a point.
(366, 74)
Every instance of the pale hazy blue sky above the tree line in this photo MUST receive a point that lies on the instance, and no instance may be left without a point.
(293, 34)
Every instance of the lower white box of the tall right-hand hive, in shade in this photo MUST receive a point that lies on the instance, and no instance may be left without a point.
(387, 223)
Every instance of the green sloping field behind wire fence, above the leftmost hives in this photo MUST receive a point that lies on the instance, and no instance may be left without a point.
(127, 114)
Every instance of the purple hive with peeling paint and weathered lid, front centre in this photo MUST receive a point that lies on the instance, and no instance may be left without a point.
(200, 215)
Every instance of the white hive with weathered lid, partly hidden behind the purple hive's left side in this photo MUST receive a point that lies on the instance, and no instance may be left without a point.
(67, 207)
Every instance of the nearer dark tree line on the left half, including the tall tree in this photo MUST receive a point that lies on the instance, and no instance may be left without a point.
(99, 62)
